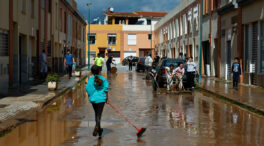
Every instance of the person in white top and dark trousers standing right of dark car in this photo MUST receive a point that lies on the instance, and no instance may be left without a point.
(191, 70)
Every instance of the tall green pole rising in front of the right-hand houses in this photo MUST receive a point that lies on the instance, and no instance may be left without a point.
(201, 42)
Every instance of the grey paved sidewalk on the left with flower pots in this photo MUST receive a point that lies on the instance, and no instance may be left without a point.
(10, 107)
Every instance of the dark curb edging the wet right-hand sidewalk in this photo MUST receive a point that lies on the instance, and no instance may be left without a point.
(232, 101)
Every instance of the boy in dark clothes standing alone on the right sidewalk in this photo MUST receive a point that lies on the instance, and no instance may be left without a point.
(236, 69)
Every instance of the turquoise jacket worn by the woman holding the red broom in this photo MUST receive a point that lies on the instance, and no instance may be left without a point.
(97, 93)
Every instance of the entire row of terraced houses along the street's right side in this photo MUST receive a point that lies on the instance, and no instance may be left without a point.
(230, 29)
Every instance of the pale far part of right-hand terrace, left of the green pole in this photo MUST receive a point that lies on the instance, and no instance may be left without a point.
(178, 32)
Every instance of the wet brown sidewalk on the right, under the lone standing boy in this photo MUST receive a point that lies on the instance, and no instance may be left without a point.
(252, 97)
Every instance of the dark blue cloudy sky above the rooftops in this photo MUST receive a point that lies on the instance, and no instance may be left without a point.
(98, 6)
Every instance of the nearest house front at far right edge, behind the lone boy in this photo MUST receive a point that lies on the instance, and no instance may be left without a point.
(251, 40)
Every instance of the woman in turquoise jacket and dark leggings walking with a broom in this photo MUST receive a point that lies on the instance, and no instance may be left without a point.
(97, 89)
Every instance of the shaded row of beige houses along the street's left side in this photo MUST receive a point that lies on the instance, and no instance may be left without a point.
(29, 26)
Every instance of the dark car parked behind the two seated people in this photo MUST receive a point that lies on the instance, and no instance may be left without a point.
(161, 78)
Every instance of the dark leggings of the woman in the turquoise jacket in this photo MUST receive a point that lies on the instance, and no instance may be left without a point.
(98, 110)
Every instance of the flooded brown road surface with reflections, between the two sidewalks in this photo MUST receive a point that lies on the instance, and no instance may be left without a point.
(187, 119)
